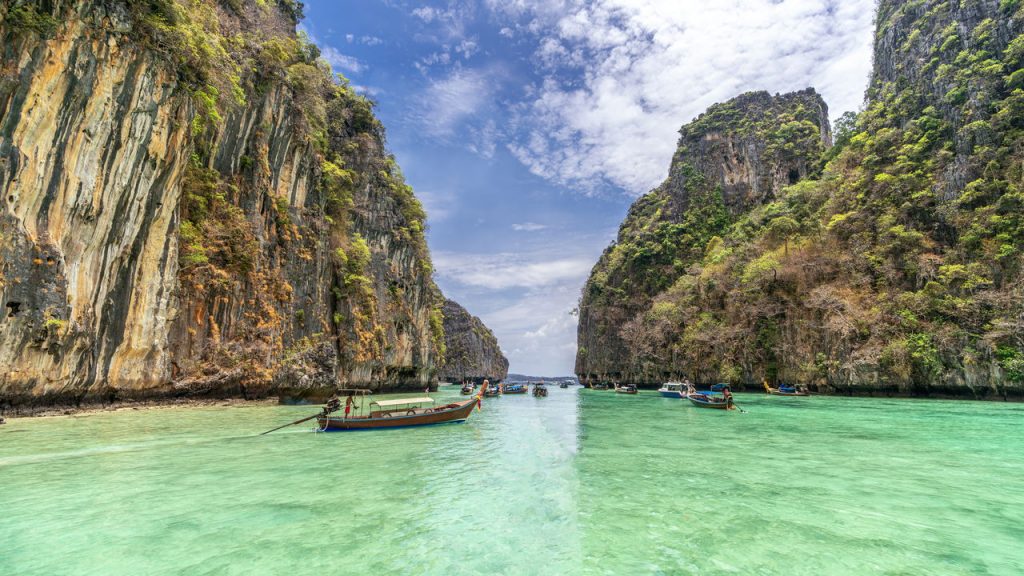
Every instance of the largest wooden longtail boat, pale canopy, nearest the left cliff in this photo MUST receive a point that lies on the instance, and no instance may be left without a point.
(402, 414)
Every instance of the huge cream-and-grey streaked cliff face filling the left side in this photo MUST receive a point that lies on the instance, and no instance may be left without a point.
(192, 207)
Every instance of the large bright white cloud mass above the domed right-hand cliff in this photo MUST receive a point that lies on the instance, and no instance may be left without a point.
(641, 69)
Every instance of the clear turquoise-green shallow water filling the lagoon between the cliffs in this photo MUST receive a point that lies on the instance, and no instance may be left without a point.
(582, 482)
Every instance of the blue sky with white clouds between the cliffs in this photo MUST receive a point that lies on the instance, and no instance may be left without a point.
(528, 128)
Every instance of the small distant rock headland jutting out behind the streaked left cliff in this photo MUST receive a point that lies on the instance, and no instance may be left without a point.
(472, 350)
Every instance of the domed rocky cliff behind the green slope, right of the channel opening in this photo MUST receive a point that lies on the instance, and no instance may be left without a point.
(737, 156)
